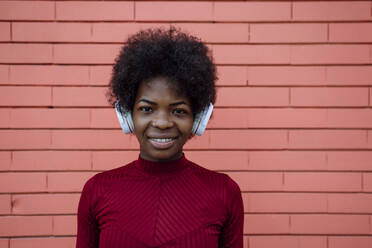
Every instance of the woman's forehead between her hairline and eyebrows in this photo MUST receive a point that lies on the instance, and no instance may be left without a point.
(160, 88)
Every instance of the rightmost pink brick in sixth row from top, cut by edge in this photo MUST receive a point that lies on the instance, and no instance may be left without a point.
(350, 118)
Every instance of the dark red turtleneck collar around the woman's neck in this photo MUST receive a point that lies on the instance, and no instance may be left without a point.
(162, 168)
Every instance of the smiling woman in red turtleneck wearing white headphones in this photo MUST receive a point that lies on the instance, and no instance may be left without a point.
(163, 88)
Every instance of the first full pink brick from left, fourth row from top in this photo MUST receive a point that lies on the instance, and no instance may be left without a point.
(49, 75)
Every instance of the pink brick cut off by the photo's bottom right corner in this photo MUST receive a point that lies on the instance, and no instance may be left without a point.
(345, 242)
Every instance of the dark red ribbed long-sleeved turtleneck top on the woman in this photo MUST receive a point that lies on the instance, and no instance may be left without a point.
(153, 204)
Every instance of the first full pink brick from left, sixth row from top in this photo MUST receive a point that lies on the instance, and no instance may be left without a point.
(49, 118)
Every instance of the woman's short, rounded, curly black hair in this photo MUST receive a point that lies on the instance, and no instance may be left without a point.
(181, 58)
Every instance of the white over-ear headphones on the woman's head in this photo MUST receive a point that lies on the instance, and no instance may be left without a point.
(198, 127)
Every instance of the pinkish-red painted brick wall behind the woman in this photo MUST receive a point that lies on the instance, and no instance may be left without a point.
(293, 113)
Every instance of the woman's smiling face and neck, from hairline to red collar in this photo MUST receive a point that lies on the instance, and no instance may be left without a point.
(162, 120)
